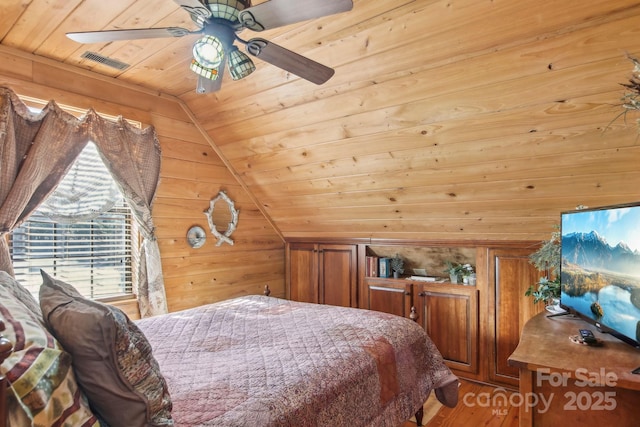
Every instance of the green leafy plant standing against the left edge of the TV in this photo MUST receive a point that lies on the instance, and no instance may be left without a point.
(547, 259)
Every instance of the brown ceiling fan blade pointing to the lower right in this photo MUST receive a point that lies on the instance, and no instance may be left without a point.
(290, 61)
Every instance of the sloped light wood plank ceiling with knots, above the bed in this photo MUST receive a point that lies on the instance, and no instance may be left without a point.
(464, 119)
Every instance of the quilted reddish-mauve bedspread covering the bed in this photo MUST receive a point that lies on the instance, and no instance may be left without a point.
(263, 361)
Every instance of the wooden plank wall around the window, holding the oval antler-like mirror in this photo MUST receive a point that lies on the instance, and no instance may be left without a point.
(192, 174)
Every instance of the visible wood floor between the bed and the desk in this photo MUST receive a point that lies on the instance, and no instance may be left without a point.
(471, 414)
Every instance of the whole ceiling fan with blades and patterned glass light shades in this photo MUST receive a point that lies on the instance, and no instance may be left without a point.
(219, 21)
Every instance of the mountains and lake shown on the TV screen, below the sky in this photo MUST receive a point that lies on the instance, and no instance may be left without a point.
(602, 281)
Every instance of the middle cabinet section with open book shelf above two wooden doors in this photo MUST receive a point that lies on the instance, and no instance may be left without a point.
(448, 312)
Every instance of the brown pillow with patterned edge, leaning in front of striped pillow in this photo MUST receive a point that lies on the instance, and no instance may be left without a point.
(111, 356)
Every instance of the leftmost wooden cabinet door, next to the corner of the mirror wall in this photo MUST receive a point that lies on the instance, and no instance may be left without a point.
(302, 272)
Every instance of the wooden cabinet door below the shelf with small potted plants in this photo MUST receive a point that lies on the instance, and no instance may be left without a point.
(449, 314)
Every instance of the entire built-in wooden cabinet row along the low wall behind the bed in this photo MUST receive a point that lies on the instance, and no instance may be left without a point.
(476, 328)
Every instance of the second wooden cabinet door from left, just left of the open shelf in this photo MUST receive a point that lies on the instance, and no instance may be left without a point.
(338, 275)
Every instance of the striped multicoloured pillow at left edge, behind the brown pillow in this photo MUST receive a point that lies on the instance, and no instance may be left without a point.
(43, 390)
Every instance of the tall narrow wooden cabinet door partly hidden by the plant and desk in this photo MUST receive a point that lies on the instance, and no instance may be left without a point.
(510, 274)
